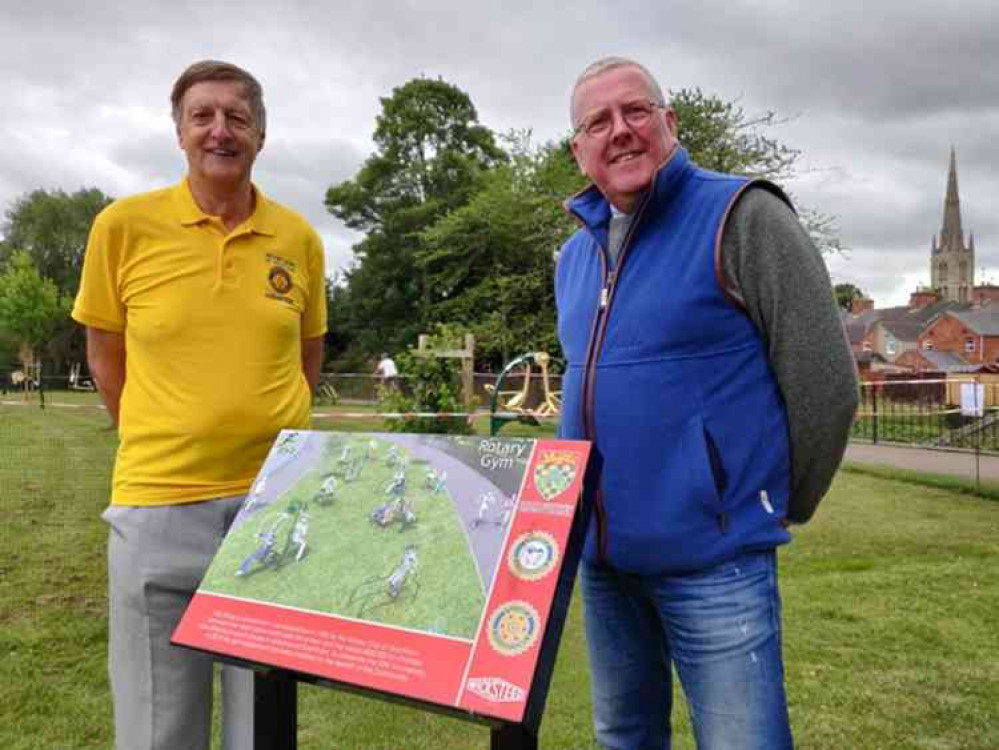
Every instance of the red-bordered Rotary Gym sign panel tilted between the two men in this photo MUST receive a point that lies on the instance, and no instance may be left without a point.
(424, 566)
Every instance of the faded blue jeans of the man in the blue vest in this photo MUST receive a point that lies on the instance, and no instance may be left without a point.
(719, 627)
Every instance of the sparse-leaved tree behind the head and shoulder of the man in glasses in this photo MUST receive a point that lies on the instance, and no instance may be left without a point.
(721, 136)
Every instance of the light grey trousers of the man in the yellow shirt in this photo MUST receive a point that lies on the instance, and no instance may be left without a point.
(162, 694)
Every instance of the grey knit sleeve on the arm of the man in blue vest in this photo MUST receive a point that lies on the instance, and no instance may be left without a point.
(771, 266)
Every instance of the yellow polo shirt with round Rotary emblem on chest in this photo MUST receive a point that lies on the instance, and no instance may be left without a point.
(213, 323)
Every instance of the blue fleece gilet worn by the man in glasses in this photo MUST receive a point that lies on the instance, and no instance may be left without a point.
(671, 381)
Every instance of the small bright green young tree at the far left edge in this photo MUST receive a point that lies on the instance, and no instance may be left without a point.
(31, 306)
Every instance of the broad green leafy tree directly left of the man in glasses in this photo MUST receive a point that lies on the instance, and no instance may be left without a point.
(490, 264)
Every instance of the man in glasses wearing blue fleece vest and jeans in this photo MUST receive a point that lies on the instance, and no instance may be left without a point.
(707, 363)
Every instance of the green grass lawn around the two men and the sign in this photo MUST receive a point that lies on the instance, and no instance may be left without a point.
(891, 611)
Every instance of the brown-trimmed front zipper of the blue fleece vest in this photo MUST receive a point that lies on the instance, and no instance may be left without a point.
(597, 333)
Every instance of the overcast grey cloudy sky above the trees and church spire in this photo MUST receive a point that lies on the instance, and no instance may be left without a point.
(879, 92)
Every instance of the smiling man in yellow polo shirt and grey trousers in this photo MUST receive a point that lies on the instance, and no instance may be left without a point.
(205, 310)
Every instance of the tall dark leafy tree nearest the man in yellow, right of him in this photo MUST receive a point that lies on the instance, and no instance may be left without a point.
(430, 150)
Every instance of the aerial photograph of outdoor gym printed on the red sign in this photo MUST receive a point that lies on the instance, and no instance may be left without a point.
(398, 529)
